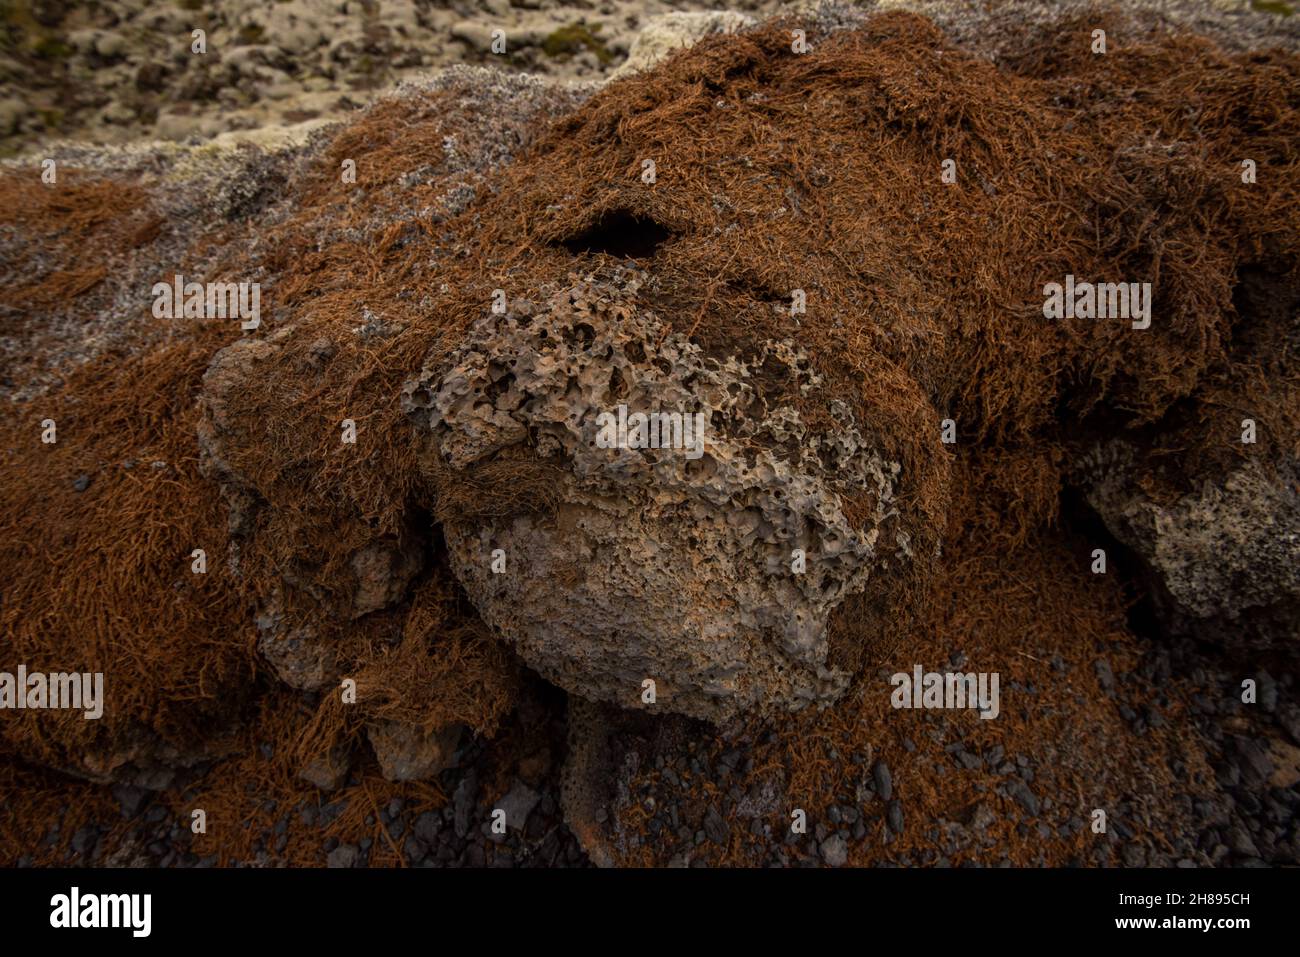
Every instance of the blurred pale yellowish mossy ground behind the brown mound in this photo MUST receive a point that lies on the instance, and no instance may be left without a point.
(114, 71)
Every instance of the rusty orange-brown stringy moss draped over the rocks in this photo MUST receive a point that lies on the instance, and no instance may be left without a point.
(925, 302)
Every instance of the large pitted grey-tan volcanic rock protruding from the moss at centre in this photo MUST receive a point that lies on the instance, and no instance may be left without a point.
(658, 564)
